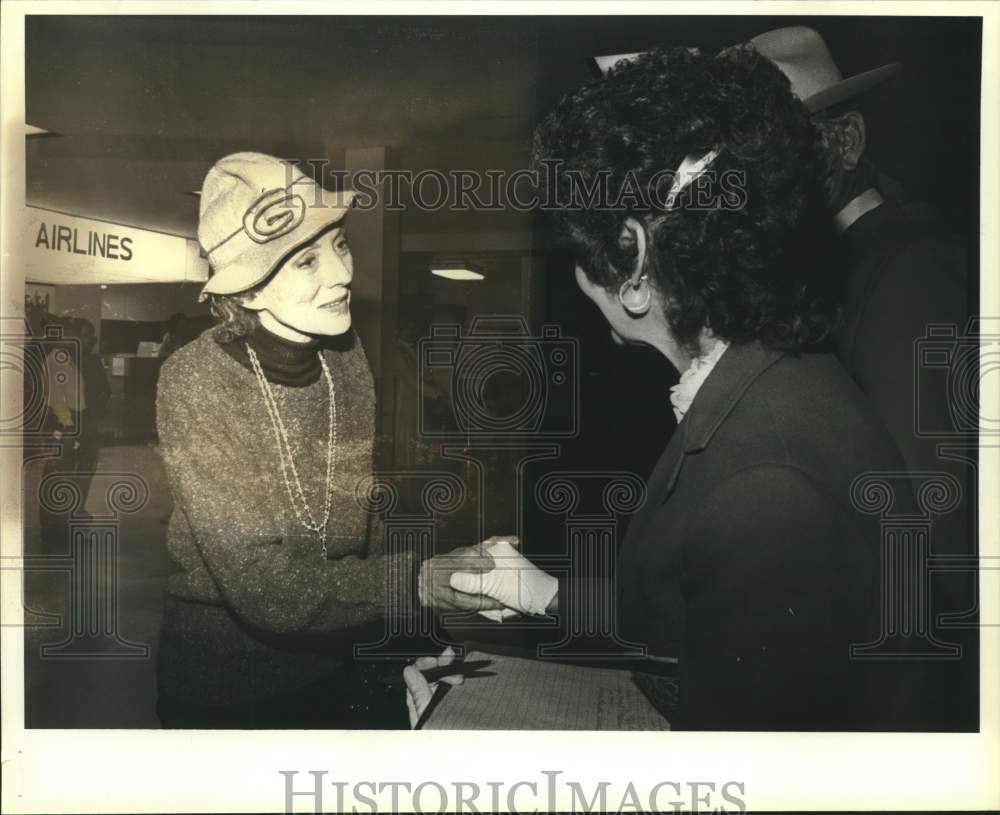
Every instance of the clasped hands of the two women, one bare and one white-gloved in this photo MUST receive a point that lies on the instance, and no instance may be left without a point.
(492, 577)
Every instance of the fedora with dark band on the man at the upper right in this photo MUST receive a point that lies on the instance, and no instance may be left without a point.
(801, 55)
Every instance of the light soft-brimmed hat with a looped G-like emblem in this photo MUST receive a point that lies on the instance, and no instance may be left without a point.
(255, 210)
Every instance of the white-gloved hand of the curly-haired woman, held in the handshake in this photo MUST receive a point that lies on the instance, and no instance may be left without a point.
(515, 581)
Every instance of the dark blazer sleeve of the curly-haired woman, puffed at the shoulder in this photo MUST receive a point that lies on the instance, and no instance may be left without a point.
(762, 644)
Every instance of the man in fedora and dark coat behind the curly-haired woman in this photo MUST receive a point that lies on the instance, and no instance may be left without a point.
(901, 271)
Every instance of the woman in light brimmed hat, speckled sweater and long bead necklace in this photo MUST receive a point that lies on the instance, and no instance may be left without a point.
(266, 427)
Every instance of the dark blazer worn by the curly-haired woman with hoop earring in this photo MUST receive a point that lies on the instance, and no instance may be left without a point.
(748, 560)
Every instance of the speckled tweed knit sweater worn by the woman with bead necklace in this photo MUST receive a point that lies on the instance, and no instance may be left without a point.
(256, 610)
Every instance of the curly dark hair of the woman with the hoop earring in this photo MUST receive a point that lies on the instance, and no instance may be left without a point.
(750, 269)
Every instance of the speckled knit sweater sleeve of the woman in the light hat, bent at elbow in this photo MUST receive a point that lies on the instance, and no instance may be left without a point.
(268, 582)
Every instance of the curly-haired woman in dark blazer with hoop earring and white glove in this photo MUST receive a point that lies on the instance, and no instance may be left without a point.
(748, 562)
